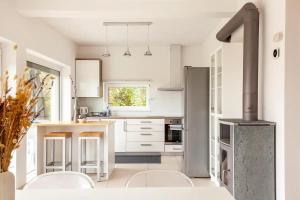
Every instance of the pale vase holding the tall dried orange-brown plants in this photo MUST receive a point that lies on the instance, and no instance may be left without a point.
(7, 186)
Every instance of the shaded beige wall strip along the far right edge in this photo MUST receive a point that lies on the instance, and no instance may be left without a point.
(292, 100)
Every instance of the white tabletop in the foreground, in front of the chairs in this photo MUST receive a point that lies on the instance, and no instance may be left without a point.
(205, 193)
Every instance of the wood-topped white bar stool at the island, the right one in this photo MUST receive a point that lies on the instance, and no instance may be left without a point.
(83, 162)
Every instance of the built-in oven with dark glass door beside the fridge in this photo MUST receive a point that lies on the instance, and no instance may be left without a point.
(173, 131)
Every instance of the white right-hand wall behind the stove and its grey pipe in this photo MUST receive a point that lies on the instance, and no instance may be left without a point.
(271, 75)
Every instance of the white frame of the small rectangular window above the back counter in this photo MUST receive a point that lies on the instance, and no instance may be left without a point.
(106, 86)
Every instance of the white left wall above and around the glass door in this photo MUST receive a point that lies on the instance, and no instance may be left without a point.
(30, 34)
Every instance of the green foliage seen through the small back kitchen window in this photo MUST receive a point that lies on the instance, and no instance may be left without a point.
(127, 96)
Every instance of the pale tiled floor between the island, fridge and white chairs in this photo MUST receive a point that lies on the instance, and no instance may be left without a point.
(123, 172)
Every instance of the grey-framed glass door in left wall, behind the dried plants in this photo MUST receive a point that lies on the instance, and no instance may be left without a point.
(49, 101)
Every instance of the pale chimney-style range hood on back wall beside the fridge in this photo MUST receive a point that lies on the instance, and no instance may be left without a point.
(176, 70)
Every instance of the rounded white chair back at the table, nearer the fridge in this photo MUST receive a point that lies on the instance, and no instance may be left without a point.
(159, 178)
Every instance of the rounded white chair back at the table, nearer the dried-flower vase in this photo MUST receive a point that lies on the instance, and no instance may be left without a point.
(61, 180)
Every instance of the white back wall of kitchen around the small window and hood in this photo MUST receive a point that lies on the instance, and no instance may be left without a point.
(155, 68)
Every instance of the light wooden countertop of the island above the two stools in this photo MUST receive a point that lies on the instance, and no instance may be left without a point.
(100, 123)
